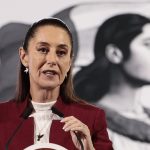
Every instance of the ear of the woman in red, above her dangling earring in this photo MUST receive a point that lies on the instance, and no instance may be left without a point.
(23, 56)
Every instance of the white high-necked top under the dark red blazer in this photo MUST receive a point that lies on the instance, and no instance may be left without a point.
(43, 117)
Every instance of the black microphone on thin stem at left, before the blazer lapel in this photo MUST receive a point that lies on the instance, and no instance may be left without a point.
(24, 115)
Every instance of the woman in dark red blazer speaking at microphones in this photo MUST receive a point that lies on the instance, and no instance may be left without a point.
(45, 108)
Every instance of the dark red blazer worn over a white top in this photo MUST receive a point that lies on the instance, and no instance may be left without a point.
(10, 117)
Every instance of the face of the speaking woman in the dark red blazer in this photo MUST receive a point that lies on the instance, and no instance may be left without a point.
(48, 57)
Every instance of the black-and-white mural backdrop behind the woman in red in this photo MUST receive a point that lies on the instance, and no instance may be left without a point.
(111, 65)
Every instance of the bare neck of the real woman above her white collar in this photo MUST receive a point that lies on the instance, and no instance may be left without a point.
(44, 95)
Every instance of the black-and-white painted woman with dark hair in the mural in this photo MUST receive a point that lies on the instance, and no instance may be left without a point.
(121, 67)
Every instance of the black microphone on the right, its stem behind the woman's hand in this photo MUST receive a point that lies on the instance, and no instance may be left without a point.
(60, 114)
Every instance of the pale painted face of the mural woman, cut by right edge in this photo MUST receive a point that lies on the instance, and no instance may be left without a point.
(138, 64)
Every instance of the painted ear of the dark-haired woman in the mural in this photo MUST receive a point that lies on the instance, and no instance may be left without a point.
(113, 54)
